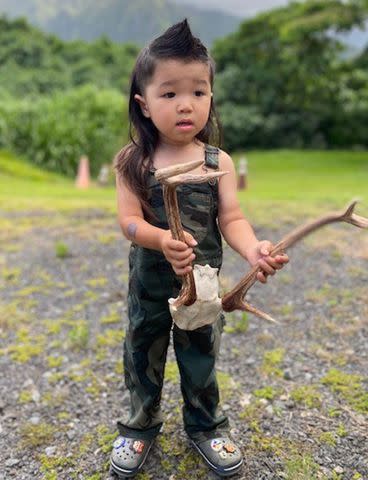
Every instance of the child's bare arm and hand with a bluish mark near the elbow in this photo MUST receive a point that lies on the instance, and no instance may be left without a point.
(141, 232)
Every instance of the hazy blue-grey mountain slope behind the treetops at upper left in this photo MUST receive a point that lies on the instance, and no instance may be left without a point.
(120, 20)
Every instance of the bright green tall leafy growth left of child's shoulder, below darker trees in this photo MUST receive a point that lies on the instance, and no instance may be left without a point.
(54, 131)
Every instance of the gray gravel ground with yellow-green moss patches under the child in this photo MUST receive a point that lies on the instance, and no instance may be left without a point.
(296, 393)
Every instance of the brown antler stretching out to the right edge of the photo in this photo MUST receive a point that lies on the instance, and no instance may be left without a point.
(234, 299)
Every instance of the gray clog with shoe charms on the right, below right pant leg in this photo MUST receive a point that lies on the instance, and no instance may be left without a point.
(221, 455)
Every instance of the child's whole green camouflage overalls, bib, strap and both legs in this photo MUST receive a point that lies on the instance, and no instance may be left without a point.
(152, 282)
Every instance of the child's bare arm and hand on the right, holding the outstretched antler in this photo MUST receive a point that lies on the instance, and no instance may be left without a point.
(236, 229)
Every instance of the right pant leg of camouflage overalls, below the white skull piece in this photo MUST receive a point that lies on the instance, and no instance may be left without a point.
(196, 352)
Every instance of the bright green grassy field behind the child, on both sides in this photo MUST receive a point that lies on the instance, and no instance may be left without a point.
(281, 184)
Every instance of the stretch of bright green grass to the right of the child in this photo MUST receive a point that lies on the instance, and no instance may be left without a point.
(290, 184)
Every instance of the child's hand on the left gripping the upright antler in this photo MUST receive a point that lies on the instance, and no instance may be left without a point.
(178, 253)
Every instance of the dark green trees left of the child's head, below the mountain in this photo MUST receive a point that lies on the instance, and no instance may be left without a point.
(35, 62)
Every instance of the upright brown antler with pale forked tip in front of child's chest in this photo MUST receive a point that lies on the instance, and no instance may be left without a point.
(171, 177)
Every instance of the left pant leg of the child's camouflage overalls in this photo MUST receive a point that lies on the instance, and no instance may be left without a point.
(145, 349)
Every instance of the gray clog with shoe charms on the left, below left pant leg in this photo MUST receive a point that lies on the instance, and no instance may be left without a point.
(128, 456)
